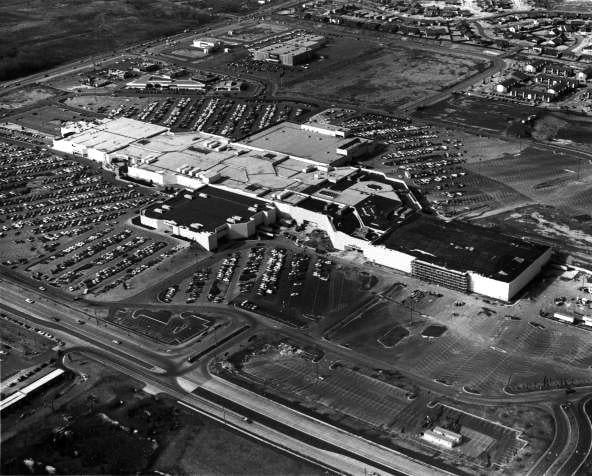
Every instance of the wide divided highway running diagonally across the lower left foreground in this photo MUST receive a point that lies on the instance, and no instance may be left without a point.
(160, 372)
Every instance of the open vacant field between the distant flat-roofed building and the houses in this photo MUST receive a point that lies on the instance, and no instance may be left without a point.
(366, 73)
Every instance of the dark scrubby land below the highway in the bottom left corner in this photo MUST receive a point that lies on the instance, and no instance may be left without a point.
(103, 423)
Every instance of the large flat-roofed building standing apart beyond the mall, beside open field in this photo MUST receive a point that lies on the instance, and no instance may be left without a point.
(289, 51)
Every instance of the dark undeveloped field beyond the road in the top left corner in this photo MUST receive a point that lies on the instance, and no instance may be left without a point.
(38, 34)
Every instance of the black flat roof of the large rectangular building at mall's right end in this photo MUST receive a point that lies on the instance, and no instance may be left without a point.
(463, 247)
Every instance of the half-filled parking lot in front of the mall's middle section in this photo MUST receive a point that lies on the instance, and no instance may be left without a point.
(278, 279)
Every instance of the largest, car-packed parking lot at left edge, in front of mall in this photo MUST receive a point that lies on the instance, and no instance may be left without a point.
(63, 221)
